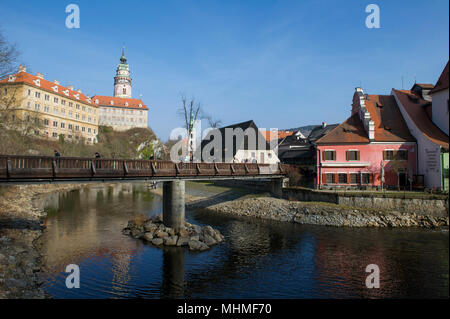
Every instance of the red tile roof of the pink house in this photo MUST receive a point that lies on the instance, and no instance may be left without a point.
(389, 124)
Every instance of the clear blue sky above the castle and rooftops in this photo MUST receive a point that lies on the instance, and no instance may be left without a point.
(280, 63)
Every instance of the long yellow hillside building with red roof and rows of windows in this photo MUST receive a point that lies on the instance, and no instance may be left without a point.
(57, 111)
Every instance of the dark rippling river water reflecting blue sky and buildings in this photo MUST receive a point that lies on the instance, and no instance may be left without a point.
(259, 259)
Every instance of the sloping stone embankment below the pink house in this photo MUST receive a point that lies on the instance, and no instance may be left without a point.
(318, 213)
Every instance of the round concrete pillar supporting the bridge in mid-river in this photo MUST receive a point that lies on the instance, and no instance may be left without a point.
(173, 204)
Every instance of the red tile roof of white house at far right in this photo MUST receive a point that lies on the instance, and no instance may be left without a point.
(416, 108)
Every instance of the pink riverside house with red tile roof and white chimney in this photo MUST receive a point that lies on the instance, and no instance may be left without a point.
(352, 153)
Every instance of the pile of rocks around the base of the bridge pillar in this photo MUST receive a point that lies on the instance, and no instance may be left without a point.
(154, 232)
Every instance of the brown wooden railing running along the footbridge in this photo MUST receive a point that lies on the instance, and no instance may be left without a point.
(47, 167)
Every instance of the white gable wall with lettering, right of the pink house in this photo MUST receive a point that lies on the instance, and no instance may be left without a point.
(428, 152)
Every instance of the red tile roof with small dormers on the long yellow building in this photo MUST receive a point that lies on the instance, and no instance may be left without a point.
(52, 87)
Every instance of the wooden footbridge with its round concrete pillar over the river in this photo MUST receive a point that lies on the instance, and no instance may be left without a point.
(22, 169)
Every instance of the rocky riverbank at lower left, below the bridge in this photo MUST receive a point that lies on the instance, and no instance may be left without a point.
(21, 212)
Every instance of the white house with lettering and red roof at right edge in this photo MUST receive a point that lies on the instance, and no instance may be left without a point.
(427, 117)
